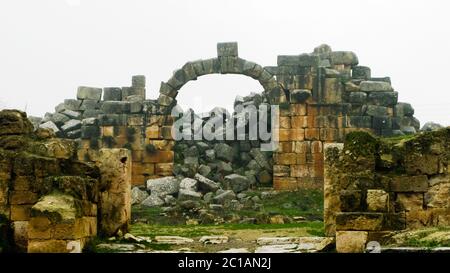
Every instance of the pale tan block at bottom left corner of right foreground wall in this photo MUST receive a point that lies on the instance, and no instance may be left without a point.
(351, 241)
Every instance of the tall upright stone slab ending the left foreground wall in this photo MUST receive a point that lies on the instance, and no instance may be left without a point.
(115, 191)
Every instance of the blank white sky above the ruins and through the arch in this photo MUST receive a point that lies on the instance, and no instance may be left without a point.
(49, 47)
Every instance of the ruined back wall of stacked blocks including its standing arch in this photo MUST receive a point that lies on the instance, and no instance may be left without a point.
(322, 96)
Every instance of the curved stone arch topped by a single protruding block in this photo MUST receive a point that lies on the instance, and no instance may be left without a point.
(226, 62)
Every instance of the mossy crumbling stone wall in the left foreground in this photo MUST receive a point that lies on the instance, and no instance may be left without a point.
(49, 200)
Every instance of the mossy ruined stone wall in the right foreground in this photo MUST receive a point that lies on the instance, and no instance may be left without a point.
(374, 186)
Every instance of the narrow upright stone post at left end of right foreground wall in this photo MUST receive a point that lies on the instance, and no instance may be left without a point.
(331, 187)
